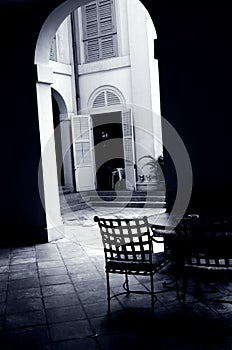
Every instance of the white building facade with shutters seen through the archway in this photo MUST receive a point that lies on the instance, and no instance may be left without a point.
(105, 92)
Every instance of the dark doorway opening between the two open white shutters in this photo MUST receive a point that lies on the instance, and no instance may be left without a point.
(109, 159)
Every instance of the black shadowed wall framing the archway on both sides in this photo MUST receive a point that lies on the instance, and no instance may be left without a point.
(193, 49)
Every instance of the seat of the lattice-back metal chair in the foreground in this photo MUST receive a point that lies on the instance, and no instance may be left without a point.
(159, 260)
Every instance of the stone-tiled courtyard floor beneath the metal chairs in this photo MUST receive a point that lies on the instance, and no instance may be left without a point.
(53, 296)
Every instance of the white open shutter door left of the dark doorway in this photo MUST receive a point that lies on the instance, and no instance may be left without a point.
(83, 152)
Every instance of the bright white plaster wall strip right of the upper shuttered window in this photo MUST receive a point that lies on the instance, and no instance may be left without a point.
(144, 79)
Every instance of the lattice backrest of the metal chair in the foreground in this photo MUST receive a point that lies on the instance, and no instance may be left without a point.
(126, 241)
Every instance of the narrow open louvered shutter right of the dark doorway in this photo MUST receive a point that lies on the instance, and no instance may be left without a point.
(128, 143)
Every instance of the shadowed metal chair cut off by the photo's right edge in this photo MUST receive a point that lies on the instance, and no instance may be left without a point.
(207, 254)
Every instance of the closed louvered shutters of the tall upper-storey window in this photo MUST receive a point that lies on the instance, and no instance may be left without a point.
(99, 30)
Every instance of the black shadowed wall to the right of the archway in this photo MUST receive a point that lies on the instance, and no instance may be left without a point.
(195, 56)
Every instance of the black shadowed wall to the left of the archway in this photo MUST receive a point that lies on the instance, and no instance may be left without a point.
(23, 216)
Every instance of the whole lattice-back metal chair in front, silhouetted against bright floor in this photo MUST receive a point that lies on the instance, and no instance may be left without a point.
(128, 249)
